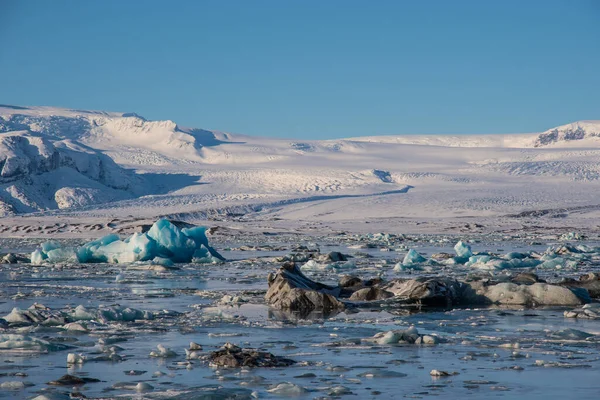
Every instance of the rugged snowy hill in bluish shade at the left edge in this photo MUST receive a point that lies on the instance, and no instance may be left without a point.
(37, 173)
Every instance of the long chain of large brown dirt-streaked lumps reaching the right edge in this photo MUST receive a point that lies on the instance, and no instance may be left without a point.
(291, 290)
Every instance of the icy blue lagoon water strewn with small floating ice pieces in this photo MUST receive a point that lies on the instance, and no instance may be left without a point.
(486, 352)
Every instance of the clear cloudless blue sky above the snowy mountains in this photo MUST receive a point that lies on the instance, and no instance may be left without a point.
(310, 69)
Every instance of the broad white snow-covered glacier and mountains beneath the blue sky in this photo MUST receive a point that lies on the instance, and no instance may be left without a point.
(102, 165)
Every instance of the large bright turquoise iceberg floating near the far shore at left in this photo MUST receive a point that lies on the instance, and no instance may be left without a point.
(164, 244)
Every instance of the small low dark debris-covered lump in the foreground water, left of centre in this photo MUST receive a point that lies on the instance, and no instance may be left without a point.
(232, 356)
